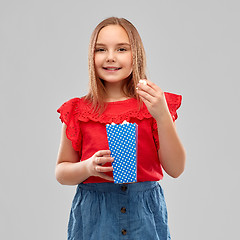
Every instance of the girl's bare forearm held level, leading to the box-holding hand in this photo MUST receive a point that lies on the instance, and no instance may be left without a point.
(68, 173)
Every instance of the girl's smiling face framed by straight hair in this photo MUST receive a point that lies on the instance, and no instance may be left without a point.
(113, 55)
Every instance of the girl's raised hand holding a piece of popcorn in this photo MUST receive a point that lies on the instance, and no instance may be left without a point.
(154, 99)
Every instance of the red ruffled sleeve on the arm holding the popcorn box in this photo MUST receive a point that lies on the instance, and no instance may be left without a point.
(69, 112)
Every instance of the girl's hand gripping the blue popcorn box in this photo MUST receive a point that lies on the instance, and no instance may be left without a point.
(96, 162)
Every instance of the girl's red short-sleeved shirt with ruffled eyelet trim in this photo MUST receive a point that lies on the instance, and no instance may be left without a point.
(88, 133)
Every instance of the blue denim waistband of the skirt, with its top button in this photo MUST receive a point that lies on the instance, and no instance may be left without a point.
(112, 187)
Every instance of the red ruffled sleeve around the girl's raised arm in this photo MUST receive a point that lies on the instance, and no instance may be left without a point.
(174, 102)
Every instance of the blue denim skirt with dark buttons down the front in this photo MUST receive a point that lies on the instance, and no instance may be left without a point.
(108, 211)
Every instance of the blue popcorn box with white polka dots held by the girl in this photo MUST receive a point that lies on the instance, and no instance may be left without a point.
(122, 141)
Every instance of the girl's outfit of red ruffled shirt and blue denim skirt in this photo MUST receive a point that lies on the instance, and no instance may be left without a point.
(87, 132)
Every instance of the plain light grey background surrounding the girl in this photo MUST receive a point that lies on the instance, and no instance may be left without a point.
(192, 49)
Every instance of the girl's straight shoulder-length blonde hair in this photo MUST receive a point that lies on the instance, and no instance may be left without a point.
(97, 90)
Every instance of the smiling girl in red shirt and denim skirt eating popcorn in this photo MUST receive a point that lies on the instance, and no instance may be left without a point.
(100, 208)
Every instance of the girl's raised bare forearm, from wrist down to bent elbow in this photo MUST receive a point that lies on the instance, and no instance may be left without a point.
(171, 153)
